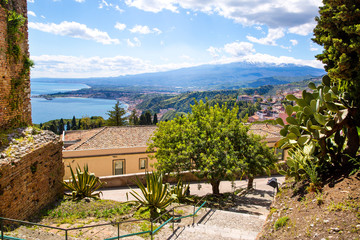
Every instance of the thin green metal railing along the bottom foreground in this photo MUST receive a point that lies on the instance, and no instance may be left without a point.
(67, 230)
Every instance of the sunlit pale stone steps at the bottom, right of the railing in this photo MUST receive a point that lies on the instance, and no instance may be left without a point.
(222, 225)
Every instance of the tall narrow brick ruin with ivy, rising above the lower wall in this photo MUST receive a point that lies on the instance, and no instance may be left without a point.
(15, 107)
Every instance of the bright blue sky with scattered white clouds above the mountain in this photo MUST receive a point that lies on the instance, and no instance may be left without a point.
(102, 38)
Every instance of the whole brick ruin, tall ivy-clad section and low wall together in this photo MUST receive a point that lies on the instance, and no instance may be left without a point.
(31, 171)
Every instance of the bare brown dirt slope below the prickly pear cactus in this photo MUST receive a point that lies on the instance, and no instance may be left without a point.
(333, 213)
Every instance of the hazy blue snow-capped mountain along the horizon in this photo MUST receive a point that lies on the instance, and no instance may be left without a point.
(208, 77)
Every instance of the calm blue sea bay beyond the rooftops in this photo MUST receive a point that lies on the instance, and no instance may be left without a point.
(44, 110)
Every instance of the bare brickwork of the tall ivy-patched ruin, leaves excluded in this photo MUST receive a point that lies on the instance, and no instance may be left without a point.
(10, 69)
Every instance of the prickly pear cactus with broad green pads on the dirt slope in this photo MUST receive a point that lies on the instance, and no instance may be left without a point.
(325, 120)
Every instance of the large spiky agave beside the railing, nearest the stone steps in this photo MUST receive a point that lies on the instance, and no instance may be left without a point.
(155, 195)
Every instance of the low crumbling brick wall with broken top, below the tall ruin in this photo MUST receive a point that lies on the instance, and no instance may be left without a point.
(29, 182)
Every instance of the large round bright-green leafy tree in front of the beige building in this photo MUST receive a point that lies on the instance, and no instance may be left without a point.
(211, 141)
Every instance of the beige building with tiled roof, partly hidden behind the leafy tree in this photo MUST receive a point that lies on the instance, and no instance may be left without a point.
(111, 151)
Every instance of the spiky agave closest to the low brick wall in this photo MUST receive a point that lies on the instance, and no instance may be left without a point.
(83, 184)
